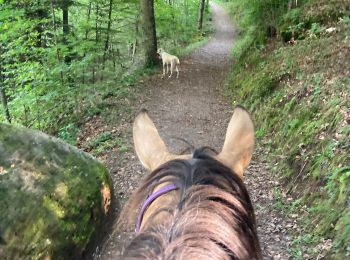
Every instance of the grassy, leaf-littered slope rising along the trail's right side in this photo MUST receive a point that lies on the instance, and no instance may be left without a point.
(300, 97)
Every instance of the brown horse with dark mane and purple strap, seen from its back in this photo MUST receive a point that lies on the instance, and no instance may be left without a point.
(193, 206)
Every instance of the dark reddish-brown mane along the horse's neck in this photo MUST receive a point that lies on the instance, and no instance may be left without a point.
(214, 218)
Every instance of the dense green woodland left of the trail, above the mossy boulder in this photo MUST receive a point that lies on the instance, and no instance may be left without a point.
(59, 58)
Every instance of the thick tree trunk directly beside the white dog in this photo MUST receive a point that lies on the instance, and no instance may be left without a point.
(148, 30)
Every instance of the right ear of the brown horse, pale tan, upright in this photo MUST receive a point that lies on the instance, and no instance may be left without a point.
(239, 142)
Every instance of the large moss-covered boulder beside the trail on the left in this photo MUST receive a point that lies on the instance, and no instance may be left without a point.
(49, 195)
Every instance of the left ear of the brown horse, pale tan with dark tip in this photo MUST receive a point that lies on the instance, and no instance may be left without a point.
(149, 146)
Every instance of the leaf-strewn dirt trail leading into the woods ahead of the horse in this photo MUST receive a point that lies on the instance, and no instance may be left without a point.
(194, 108)
